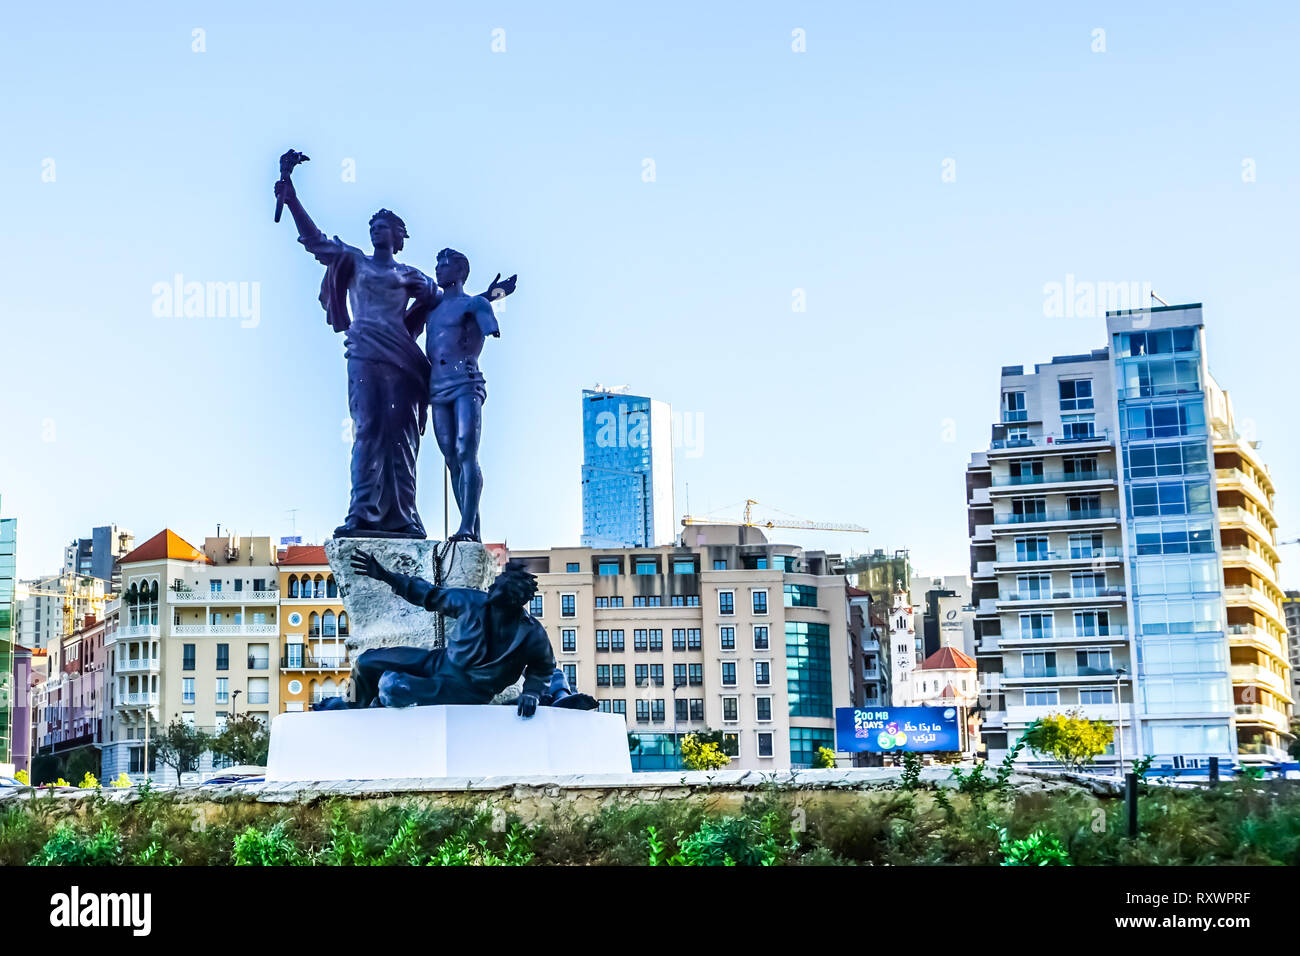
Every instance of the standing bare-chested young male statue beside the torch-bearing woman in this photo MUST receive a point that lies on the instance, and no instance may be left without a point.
(458, 326)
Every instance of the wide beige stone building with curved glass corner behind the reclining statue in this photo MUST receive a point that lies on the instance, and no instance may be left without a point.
(726, 631)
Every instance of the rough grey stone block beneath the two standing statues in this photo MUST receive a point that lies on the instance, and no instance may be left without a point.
(378, 618)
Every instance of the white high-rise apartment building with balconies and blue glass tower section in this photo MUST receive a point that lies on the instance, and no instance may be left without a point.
(1124, 557)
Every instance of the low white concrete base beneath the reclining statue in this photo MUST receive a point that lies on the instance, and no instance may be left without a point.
(453, 741)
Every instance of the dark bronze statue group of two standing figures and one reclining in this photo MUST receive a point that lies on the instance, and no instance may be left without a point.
(383, 306)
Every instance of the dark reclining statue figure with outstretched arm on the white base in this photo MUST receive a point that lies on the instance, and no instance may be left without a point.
(495, 643)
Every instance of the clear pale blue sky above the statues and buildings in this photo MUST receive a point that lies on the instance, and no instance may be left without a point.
(775, 171)
